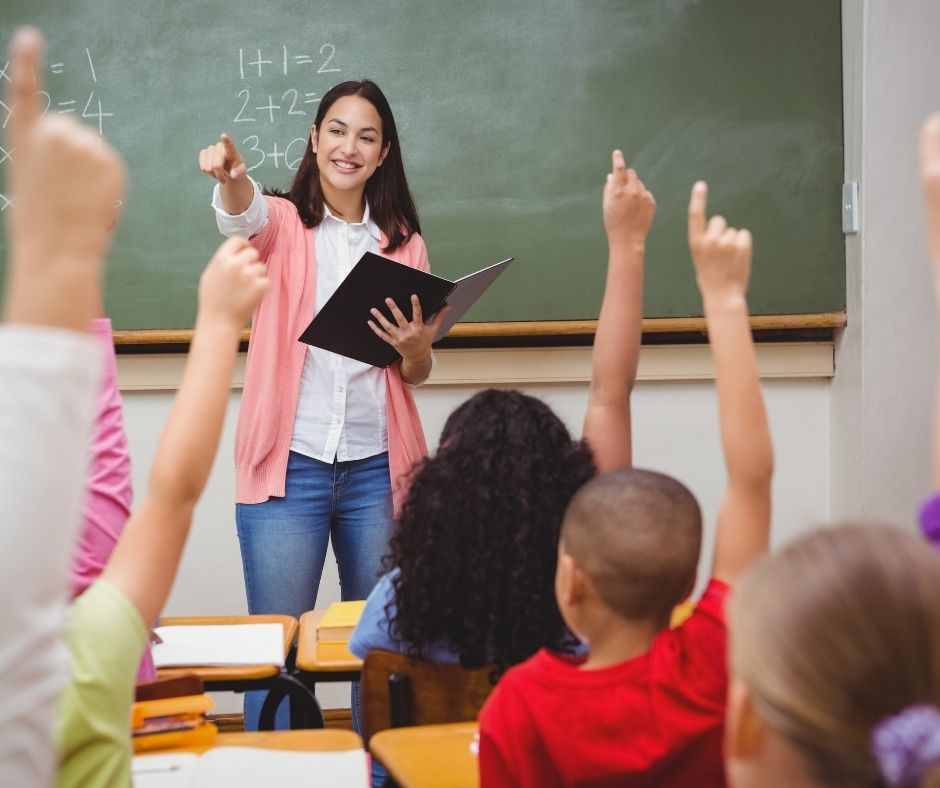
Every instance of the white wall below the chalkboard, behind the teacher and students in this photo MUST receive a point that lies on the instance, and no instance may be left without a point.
(675, 431)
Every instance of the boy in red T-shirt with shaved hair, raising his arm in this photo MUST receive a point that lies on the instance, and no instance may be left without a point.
(645, 706)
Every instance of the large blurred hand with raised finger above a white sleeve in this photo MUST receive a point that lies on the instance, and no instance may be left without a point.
(67, 183)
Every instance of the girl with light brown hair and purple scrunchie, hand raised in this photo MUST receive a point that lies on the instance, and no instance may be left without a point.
(839, 683)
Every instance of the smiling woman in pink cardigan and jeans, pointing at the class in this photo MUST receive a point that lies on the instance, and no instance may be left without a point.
(323, 441)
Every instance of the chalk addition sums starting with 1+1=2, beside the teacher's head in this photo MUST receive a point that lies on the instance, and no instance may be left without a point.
(268, 110)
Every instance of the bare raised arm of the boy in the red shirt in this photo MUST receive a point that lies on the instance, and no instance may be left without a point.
(722, 259)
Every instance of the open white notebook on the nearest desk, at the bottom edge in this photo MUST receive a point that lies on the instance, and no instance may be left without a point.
(248, 767)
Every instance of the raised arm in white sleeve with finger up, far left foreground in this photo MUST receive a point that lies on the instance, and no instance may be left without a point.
(65, 183)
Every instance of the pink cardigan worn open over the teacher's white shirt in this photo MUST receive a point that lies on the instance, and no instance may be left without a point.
(276, 358)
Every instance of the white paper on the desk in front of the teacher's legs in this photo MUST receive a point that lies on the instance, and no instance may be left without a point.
(219, 644)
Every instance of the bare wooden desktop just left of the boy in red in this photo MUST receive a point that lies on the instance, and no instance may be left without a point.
(429, 756)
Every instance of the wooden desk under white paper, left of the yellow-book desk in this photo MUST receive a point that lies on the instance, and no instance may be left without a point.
(305, 710)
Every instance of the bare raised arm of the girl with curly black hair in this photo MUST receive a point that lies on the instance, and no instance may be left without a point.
(628, 214)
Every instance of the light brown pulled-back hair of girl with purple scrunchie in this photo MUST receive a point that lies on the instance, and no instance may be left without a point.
(835, 634)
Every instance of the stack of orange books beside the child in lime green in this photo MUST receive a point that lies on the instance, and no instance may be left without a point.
(171, 713)
